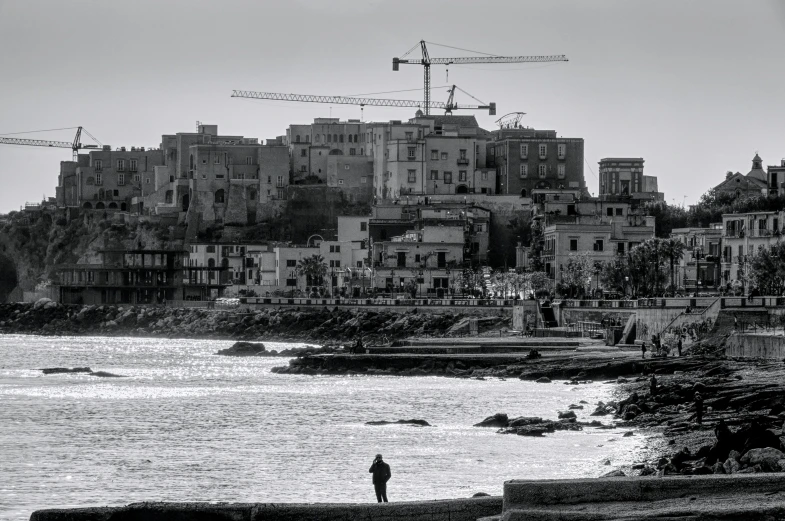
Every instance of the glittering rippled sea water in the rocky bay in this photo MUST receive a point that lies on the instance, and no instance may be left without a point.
(188, 425)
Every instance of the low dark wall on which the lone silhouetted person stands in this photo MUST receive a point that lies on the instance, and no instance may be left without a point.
(445, 510)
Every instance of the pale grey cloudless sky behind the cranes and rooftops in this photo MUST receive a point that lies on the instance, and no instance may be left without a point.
(694, 87)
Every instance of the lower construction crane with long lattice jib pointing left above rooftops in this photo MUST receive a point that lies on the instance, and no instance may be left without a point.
(448, 107)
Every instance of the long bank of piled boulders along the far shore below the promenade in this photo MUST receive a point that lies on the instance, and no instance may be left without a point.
(306, 325)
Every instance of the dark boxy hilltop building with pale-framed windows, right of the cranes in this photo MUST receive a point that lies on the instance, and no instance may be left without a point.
(527, 159)
